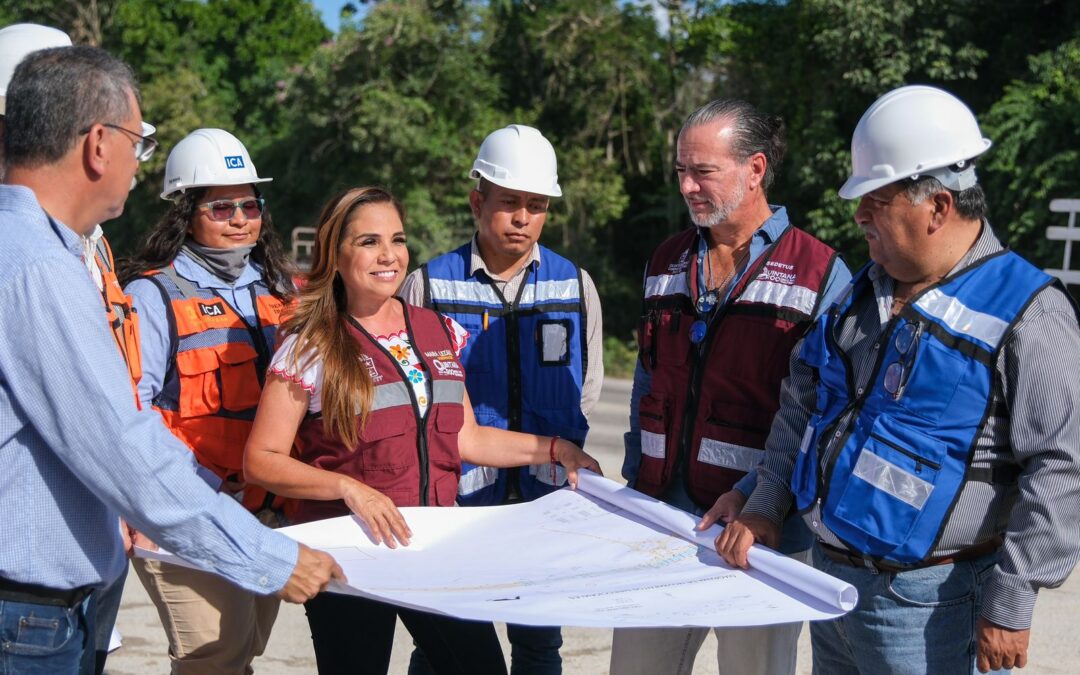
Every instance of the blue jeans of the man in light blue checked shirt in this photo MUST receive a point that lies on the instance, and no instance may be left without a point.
(46, 639)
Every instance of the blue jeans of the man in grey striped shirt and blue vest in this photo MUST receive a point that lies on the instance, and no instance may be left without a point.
(916, 623)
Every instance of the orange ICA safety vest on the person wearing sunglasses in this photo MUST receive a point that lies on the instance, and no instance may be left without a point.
(213, 385)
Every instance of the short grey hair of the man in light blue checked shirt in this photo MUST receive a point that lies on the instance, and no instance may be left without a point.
(57, 94)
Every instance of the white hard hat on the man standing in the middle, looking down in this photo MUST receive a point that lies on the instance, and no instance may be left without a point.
(519, 158)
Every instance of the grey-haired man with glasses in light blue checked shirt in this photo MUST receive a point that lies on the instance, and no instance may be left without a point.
(75, 450)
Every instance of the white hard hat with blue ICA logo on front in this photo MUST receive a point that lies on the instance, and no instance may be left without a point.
(209, 158)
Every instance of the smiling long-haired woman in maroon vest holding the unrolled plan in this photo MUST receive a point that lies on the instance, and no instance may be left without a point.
(354, 347)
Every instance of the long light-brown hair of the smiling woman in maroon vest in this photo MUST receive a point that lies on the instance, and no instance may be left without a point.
(319, 321)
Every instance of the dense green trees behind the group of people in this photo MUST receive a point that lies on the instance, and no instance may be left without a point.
(408, 89)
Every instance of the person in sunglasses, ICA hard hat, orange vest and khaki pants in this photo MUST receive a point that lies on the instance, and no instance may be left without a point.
(210, 282)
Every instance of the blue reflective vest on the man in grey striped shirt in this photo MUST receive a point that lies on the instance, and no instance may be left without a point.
(888, 483)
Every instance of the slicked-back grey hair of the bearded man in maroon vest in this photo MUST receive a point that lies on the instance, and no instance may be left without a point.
(752, 132)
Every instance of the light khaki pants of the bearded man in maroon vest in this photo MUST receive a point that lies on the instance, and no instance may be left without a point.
(759, 651)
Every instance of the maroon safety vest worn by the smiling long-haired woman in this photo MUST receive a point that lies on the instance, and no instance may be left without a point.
(412, 461)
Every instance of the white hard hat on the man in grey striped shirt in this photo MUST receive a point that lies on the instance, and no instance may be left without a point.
(914, 131)
